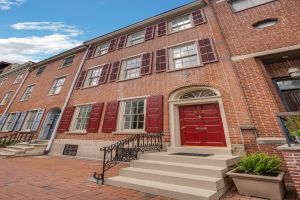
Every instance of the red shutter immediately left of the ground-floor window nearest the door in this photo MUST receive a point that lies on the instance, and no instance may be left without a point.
(110, 117)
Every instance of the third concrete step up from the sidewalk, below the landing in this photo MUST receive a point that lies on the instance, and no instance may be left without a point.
(201, 170)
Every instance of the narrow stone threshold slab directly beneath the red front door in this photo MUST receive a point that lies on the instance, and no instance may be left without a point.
(200, 150)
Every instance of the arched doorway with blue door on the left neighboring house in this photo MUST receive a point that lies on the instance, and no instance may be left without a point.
(49, 124)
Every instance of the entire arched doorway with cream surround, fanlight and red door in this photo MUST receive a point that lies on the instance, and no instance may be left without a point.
(197, 118)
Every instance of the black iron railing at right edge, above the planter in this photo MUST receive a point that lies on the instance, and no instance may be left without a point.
(282, 118)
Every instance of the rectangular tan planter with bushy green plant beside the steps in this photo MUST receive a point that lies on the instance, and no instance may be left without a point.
(259, 175)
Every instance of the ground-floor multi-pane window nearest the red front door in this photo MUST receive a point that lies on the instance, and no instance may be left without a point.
(133, 115)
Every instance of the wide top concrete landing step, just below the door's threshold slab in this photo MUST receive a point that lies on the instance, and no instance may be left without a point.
(214, 160)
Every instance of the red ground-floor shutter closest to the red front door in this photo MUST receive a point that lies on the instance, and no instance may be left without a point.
(154, 115)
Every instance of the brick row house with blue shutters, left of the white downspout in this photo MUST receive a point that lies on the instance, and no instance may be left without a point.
(39, 100)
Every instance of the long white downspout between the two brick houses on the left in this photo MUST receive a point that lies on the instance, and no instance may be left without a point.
(66, 102)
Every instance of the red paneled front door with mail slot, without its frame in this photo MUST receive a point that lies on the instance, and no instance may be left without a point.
(201, 125)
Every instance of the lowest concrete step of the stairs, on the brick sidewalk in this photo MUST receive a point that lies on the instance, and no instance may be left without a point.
(164, 189)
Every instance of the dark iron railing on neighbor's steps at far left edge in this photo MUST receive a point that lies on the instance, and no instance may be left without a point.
(15, 138)
